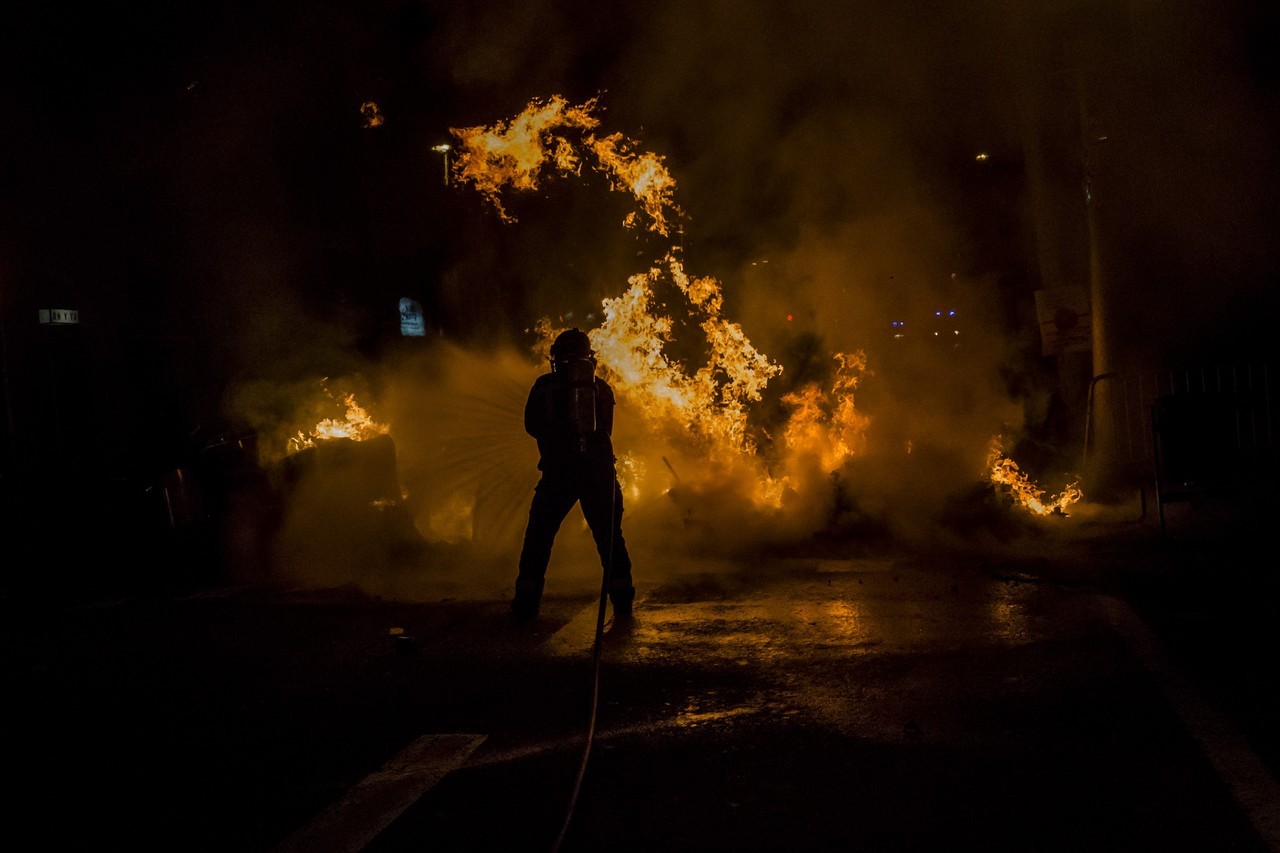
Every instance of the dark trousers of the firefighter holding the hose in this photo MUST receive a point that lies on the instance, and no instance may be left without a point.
(597, 489)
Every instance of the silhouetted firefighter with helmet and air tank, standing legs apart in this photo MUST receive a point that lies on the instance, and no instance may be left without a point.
(570, 412)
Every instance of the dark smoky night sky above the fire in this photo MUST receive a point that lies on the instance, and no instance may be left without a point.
(199, 181)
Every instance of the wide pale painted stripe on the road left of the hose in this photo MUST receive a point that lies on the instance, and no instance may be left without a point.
(353, 823)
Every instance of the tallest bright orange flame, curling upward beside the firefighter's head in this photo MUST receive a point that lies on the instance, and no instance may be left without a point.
(708, 403)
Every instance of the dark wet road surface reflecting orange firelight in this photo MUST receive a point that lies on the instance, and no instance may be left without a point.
(1108, 691)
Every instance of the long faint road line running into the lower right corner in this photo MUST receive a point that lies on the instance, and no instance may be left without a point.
(1249, 779)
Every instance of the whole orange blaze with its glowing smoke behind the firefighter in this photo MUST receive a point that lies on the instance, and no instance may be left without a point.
(735, 435)
